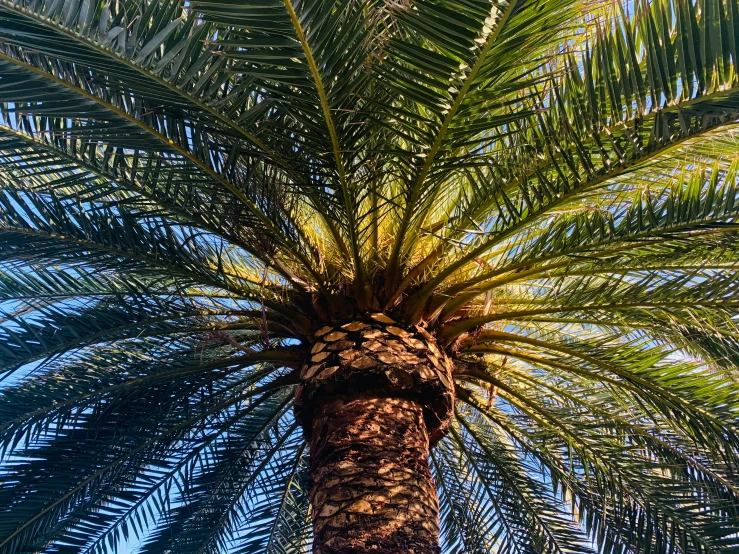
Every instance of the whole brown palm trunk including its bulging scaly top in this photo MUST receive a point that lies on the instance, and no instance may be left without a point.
(372, 400)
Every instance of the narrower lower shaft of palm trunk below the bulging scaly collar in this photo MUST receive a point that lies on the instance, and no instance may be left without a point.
(372, 489)
